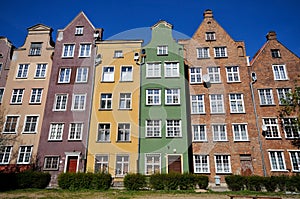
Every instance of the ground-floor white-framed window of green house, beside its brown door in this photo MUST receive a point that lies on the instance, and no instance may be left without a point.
(152, 163)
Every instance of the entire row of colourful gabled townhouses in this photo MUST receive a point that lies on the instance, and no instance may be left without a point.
(199, 105)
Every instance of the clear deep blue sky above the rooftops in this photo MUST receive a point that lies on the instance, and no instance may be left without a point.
(247, 21)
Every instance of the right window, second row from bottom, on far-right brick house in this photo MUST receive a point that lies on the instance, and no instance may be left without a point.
(291, 127)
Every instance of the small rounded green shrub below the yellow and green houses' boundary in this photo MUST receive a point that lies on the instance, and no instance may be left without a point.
(134, 181)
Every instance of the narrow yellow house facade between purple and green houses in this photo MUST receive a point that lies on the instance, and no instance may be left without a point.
(114, 125)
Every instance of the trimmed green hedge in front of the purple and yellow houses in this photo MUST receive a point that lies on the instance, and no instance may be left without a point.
(76, 181)
